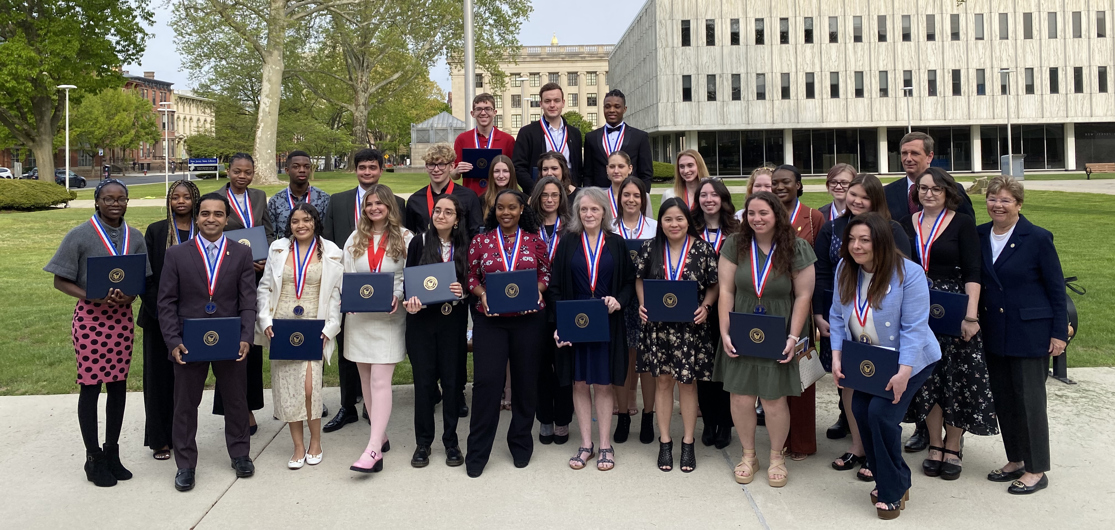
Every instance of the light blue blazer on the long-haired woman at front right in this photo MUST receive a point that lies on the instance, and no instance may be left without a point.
(901, 320)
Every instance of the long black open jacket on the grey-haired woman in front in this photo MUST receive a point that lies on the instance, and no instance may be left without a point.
(561, 281)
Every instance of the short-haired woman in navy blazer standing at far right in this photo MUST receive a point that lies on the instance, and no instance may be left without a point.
(1023, 314)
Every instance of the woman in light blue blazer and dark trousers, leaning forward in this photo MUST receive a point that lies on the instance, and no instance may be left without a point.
(894, 314)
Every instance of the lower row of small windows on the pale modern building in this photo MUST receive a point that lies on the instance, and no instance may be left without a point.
(956, 83)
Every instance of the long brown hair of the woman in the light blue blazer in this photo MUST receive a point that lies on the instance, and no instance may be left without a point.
(887, 261)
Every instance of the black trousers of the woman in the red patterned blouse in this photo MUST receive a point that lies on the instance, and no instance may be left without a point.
(517, 340)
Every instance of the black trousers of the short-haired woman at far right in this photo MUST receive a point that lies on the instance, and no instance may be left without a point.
(1020, 392)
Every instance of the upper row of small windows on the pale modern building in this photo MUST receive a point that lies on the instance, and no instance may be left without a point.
(881, 28)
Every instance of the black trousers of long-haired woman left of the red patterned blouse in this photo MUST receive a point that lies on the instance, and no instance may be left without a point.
(437, 343)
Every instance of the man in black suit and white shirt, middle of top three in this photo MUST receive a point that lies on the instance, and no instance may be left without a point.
(535, 140)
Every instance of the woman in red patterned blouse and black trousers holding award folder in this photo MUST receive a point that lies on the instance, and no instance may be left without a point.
(510, 244)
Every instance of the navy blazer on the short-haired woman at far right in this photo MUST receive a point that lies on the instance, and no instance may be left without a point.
(1023, 303)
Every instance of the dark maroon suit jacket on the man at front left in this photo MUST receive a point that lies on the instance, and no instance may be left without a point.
(183, 292)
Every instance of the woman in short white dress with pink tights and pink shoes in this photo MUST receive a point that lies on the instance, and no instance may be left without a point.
(376, 342)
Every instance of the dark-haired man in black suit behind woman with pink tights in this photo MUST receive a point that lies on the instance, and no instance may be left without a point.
(338, 224)
